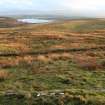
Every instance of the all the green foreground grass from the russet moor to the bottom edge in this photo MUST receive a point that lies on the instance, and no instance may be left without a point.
(87, 86)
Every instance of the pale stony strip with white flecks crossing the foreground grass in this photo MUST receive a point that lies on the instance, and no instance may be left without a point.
(55, 92)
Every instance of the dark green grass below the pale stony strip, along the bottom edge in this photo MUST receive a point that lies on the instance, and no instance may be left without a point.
(71, 97)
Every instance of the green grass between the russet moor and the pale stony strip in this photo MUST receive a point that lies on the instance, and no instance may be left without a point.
(59, 74)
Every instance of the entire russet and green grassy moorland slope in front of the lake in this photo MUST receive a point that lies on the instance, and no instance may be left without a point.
(80, 74)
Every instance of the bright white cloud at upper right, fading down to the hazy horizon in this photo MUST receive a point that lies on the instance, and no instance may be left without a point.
(85, 7)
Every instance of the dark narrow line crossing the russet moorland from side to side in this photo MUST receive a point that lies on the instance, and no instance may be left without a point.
(53, 51)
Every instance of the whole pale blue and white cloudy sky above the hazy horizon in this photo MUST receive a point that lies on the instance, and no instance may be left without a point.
(95, 8)
